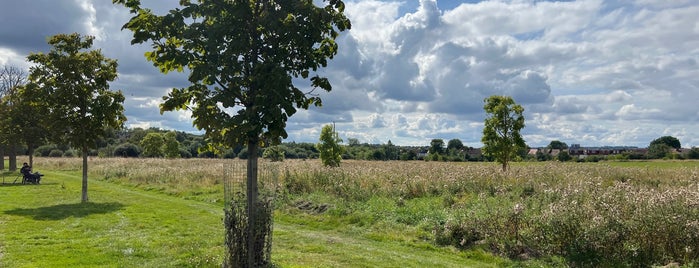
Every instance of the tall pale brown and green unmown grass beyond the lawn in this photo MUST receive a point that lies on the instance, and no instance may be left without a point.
(589, 214)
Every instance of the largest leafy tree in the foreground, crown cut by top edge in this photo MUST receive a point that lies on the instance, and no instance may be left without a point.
(242, 55)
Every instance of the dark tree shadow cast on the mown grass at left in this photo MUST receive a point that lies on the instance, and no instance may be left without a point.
(63, 211)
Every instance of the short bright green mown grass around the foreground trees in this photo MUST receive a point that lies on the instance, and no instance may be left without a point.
(47, 226)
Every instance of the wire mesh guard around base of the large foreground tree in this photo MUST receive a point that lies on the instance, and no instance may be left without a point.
(236, 215)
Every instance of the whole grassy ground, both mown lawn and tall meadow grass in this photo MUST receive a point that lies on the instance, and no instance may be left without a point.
(367, 213)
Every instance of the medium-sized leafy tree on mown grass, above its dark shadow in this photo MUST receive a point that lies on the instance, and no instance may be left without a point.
(75, 82)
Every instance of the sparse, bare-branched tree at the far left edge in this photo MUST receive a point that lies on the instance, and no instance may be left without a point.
(11, 80)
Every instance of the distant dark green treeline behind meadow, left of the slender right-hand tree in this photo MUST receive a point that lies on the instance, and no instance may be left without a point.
(155, 142)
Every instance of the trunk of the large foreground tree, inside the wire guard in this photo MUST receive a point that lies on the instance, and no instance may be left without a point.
(252, 198)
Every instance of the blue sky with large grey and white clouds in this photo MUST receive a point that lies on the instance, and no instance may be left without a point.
(589, 72)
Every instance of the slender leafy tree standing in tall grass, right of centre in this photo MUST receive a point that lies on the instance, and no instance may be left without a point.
(501, 138)
